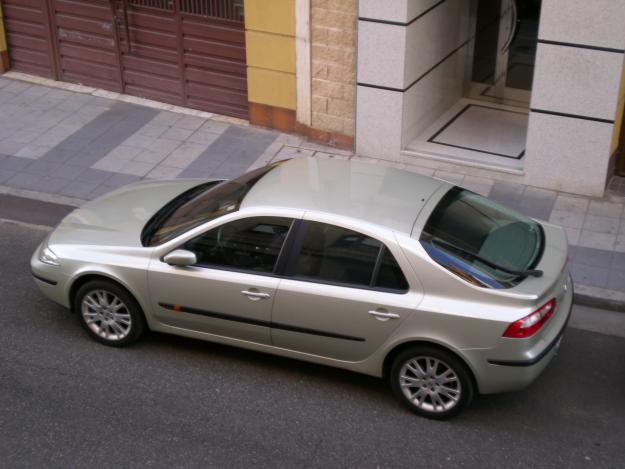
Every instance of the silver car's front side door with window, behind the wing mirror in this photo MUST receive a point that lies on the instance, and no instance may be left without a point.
(230, 290)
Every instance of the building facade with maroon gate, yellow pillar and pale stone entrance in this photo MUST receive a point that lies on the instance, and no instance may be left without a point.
(528, 91)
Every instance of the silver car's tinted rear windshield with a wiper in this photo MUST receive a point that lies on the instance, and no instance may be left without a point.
(482, 241)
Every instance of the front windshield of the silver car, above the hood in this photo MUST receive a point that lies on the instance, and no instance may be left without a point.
(192, 209)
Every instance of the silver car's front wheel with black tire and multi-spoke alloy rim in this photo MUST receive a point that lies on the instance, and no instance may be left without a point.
(108, 313)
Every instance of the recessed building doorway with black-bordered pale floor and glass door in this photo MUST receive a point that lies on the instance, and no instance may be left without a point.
(487, 122)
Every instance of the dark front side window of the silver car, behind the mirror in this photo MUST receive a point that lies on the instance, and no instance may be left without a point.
(251, 244)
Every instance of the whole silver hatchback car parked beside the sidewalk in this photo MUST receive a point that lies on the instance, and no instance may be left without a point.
(357, 266)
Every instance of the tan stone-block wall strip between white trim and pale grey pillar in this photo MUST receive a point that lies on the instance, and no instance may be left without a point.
(333, 56)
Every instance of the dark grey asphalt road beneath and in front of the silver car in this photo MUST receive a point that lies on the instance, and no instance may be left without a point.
(66, 401)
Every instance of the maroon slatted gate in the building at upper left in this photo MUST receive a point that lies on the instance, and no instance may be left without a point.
(185, 52)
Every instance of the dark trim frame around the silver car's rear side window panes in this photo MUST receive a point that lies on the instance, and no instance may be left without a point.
(296, 248)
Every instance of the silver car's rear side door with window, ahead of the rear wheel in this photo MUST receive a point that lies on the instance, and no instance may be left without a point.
(343, 295)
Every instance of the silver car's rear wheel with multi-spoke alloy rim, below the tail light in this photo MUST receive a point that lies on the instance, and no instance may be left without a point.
(417, 377)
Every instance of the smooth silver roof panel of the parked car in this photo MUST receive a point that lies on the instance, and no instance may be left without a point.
(374, 193)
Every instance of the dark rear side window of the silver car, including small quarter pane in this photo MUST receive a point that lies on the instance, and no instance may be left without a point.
(338, 255)
